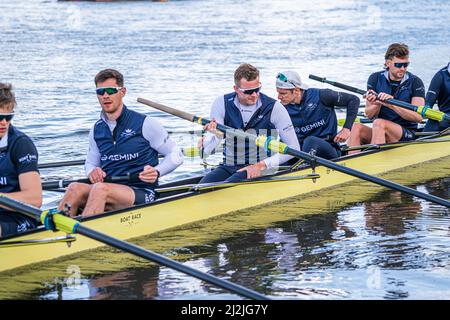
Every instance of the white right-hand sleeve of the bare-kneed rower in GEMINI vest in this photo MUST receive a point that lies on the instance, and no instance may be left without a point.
(159, 140)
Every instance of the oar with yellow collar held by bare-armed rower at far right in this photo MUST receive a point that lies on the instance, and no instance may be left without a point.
(424, 111)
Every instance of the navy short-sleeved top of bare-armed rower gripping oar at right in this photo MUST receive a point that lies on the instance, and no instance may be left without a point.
(405, 91)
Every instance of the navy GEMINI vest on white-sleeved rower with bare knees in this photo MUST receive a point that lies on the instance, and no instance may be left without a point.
(125, 151)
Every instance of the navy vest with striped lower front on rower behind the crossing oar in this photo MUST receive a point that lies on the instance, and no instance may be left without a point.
(246, 152)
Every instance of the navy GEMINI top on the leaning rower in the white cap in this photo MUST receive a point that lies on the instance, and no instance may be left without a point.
(312, 118)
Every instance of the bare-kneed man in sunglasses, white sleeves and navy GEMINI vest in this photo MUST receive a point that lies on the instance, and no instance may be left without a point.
(122, 142)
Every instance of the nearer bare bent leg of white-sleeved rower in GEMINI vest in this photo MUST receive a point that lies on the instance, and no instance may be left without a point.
(111, 195)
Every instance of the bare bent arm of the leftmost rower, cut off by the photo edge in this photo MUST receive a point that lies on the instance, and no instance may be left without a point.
(30, 189)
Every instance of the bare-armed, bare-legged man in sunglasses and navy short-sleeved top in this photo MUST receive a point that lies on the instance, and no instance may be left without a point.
(391, 123)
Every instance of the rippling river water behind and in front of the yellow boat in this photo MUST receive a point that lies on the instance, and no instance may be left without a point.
(183, 54)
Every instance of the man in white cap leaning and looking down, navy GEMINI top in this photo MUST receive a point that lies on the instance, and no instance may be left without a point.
(313, 115)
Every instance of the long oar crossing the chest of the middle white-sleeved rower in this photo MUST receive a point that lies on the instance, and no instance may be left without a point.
(277, 146)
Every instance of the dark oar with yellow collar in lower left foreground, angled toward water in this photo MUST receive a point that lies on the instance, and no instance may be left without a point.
(69, 225)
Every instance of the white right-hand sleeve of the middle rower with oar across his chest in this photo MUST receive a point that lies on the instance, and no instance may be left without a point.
(283, 123)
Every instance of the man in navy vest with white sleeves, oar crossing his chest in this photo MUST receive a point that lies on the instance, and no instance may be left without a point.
(247, 109)
